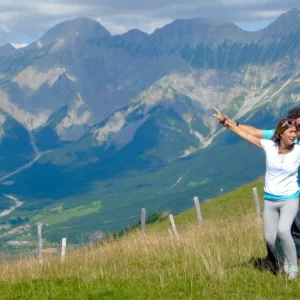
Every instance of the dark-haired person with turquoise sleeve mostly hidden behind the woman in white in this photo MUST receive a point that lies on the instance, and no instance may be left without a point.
(275, 263)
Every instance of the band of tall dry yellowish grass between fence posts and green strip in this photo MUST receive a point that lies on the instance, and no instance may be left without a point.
(206, 253)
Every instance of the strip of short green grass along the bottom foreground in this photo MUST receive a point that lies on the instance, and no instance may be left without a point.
(240, 285)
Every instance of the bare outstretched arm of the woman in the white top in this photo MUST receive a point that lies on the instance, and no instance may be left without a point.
(241, 132)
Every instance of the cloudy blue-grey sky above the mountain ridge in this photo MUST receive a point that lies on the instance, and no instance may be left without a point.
(23, 22)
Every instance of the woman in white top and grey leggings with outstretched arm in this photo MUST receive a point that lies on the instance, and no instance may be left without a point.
(281, 191)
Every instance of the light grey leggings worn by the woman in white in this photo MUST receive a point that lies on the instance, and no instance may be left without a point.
(278, 219)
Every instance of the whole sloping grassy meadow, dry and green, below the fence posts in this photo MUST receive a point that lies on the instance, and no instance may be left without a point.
(211, 262)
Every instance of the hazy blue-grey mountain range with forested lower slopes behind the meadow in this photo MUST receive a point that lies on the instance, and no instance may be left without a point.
(93, 127)
